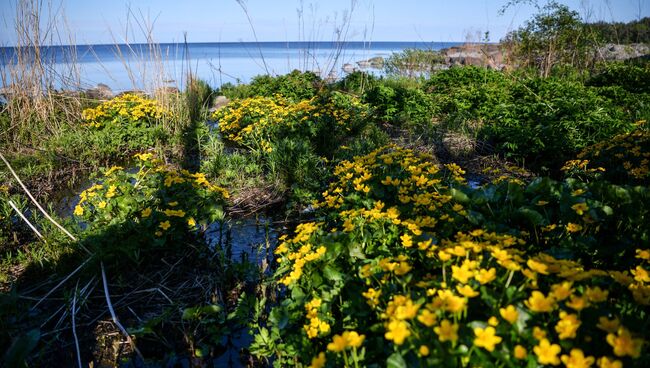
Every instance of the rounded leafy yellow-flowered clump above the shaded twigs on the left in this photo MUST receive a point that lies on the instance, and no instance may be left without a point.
(129, 214)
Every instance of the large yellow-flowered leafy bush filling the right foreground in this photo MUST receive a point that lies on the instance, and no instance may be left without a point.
(400, 272)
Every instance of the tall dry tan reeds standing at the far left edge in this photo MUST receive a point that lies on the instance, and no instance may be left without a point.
(32, 73)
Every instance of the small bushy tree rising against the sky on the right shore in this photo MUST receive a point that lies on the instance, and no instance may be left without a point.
(555, 36)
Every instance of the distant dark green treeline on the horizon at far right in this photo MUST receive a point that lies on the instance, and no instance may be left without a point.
(637, 31)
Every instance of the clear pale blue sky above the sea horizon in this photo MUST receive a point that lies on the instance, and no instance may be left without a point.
(105, 21)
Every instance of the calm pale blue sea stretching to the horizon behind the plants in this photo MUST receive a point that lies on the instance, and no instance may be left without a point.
(125, 67)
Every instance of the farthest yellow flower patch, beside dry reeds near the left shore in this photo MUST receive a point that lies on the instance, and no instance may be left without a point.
(128, 107)
